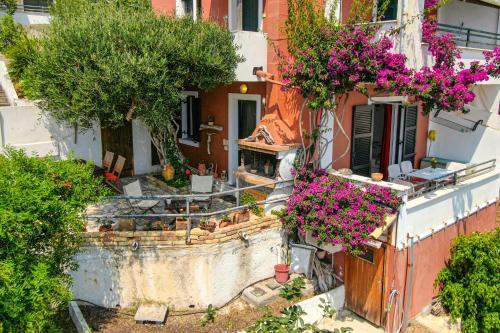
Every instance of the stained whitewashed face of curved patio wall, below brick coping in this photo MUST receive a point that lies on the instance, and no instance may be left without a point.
(179, 276)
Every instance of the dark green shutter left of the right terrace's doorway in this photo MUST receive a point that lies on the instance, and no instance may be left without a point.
(362, 136)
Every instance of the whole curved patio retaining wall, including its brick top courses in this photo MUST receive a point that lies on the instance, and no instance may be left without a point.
(161, 268)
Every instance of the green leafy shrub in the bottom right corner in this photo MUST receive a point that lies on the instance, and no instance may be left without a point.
(470, 284)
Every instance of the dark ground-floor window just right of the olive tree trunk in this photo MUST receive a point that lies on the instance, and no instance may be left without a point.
(190, 120)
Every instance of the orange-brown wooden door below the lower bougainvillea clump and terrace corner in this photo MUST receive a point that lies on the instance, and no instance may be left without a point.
(364, 284)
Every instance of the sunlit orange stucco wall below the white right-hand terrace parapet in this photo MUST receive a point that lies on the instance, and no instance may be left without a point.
(430, 256)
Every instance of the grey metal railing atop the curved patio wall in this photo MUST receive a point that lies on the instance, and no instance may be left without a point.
(189, 198)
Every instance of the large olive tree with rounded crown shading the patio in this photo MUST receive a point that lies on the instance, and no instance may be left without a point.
(112, 61)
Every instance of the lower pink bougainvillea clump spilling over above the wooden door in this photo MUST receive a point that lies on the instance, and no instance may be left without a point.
(337, 211)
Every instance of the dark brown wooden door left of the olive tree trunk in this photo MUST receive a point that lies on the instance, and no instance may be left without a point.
(119, 141)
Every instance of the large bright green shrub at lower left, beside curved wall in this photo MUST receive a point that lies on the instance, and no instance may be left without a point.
(41, 201)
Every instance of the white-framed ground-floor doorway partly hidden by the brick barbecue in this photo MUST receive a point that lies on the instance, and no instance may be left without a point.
(243, 116)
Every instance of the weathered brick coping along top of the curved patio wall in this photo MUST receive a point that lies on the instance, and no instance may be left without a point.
(177, 238)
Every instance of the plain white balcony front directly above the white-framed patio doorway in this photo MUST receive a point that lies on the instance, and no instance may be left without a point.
(253, 46)
